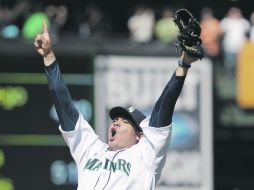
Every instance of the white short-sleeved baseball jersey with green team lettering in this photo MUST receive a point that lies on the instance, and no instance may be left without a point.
(135, 168)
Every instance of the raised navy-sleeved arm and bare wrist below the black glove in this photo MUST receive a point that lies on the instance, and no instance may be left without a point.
(164, 107)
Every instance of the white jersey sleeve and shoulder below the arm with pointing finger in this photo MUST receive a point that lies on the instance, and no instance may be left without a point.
(81, 139)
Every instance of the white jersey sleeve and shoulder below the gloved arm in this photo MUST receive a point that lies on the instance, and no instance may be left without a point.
(154, 146)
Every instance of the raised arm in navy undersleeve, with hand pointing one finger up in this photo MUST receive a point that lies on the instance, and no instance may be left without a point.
(67, 113)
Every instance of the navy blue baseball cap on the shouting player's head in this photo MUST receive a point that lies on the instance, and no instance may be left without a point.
(131, 114)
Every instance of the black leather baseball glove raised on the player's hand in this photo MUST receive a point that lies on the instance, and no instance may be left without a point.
(189, 32)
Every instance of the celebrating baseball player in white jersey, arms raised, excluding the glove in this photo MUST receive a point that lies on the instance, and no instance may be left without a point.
(135, 153)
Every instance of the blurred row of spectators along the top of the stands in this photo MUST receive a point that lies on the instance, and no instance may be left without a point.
(221, 37)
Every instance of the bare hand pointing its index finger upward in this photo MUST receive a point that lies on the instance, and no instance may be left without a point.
(42, 41)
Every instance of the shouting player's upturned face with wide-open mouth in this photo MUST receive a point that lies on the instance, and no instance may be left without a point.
(122, 134)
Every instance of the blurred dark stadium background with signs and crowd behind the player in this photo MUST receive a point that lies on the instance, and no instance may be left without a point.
(88, 37)
